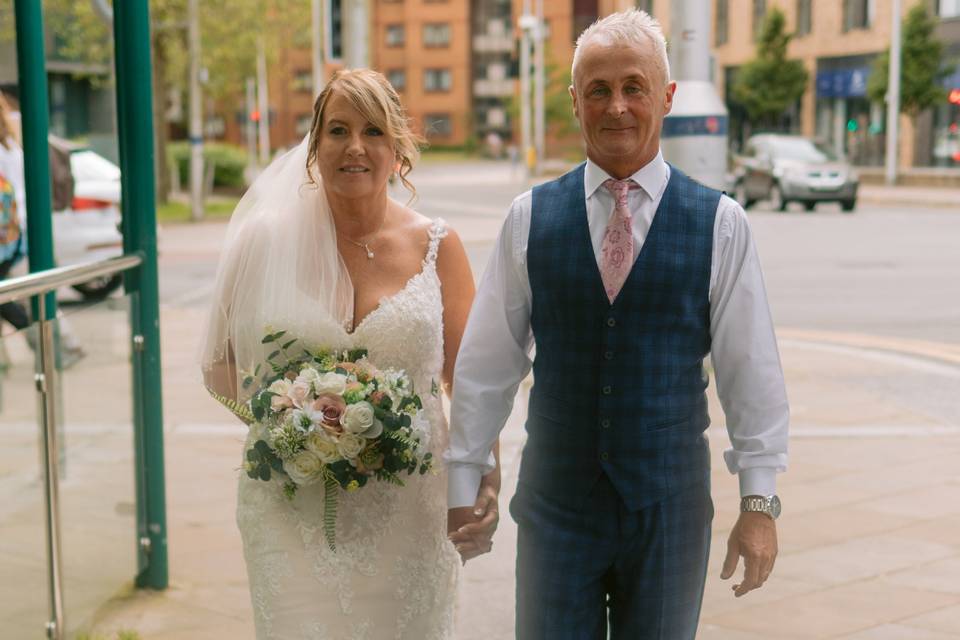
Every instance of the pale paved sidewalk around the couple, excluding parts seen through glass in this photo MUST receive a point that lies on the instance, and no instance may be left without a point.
(870, 537)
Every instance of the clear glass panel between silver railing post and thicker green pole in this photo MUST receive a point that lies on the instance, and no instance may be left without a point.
(97, 475)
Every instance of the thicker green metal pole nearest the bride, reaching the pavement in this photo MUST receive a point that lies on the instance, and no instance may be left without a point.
(131, 28)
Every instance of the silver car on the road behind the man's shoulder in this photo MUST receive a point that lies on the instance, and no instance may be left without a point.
(783, 169)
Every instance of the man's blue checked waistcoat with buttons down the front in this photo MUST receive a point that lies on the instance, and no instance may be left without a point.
(619, 389)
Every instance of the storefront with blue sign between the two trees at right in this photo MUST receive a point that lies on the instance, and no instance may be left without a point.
(846, 118)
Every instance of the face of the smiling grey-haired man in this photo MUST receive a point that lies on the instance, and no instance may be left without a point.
(620, 96)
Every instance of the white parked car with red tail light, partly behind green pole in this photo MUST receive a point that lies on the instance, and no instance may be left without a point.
(89, 229)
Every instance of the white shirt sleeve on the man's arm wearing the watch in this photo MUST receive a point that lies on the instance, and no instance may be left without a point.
(745, 357)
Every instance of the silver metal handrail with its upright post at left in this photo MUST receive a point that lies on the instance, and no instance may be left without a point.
(38, 285)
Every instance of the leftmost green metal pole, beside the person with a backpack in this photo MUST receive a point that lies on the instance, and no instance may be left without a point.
(31, 65)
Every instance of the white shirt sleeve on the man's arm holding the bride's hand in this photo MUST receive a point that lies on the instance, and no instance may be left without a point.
(494, 358)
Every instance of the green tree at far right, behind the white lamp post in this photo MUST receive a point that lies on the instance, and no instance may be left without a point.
(922, 75)
